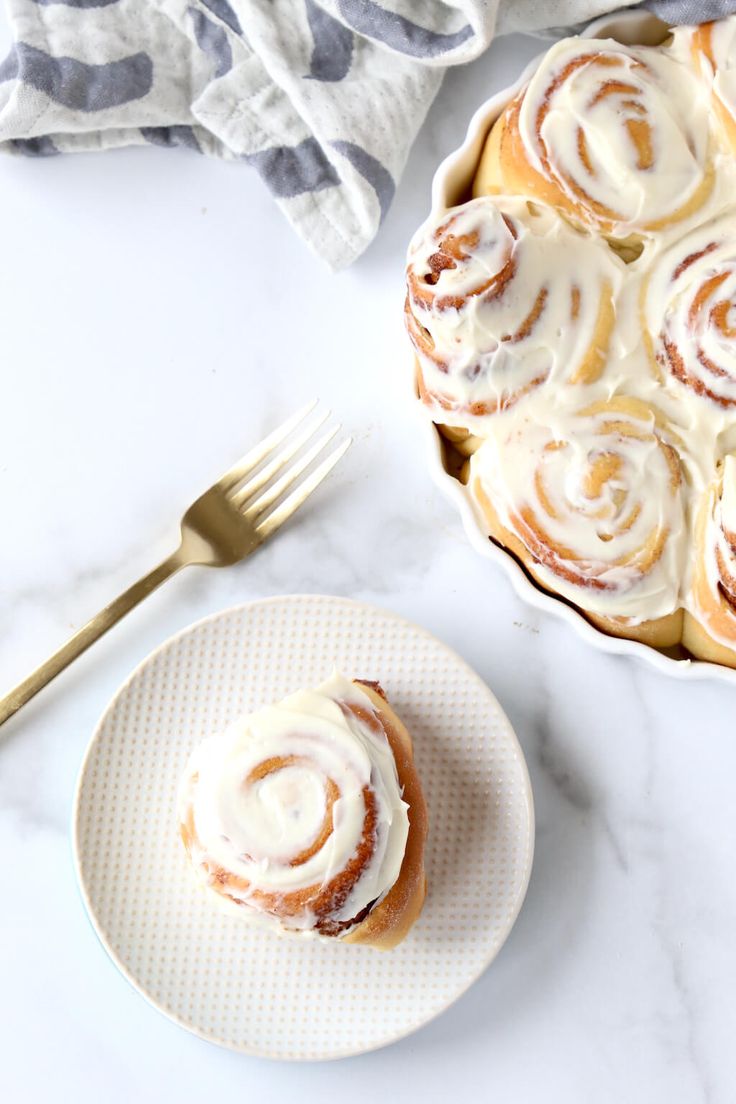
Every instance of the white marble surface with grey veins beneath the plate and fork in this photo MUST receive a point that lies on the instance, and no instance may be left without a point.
(158, 316)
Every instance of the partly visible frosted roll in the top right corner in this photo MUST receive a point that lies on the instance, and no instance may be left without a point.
(713, 50)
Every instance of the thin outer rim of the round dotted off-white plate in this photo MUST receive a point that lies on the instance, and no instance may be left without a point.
(77, 851)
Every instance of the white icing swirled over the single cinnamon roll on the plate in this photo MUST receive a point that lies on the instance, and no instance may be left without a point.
(253, 823)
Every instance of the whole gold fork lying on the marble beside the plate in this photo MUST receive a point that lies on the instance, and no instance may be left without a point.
(226, 525)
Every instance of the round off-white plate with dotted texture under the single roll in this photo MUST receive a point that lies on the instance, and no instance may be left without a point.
(254, 991)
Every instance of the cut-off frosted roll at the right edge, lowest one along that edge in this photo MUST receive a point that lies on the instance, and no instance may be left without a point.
(710, 625)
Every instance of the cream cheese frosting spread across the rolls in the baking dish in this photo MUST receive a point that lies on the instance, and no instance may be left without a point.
(665, 399)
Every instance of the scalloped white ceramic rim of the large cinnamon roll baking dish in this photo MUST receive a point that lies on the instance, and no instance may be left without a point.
(457, 166)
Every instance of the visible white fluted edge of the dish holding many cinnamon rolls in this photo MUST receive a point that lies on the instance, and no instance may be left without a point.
(451, 186)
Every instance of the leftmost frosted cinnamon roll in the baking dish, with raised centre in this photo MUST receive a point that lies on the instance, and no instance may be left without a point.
(503, 296)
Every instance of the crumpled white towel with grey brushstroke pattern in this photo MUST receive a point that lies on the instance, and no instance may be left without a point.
(323, 98)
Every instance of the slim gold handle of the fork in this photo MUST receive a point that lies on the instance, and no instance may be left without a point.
(111, 615)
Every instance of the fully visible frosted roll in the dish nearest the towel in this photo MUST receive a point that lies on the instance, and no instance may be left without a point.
(617, 137)
